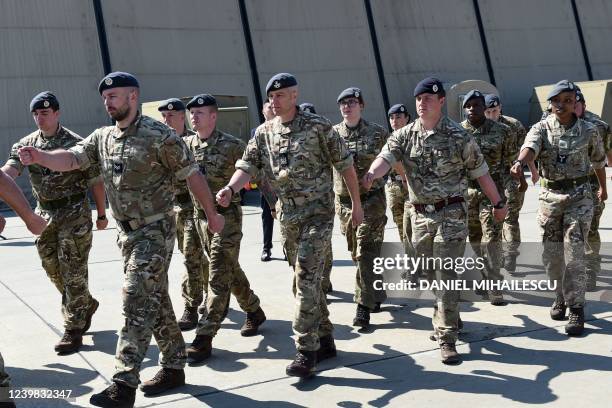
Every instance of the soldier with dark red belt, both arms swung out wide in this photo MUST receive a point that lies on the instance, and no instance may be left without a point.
(438, 156)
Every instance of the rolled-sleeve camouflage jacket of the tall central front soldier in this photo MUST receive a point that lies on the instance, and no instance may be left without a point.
(297, 159)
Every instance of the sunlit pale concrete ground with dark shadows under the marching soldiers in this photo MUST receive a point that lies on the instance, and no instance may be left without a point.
(512, 355)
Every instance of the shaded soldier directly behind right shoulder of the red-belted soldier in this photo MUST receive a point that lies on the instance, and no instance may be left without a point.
(497, 144)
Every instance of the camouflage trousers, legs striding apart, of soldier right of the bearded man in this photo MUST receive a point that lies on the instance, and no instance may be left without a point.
(225, 274)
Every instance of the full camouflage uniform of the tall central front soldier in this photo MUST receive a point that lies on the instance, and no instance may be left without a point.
(297, 159)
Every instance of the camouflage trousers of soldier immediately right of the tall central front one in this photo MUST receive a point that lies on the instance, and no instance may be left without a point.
(365, 243)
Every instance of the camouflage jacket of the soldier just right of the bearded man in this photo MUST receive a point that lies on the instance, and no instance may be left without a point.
(216, 157)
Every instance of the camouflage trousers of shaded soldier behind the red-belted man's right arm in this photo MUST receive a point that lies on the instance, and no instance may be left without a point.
(485, 233)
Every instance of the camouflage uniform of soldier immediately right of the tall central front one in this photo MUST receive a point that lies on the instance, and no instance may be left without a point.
(364, 142)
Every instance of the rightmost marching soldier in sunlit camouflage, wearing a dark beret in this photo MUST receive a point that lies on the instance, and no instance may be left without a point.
(566, 147)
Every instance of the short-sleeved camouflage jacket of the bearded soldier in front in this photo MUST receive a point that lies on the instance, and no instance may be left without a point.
(139, 166)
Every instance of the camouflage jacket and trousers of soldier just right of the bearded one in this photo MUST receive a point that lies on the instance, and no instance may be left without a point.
(216, 157)
